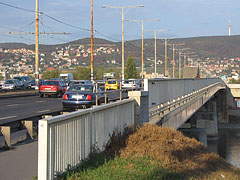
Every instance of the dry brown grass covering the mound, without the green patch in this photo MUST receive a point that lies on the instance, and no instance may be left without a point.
(175, 151)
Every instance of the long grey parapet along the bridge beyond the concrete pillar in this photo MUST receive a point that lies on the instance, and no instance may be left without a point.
(164, 90)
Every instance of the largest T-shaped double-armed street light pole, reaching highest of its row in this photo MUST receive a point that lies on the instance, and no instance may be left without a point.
(122, 13)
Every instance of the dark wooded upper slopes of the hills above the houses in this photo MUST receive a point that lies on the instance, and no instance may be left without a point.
(212, 46)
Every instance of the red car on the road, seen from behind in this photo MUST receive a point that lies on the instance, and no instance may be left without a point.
(52, 87)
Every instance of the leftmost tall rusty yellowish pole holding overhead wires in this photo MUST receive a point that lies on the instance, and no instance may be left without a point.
(37, 45)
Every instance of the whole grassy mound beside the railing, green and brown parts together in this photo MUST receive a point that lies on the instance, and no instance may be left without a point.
(152, 152)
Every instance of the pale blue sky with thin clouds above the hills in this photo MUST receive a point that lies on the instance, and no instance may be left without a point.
(183, 18)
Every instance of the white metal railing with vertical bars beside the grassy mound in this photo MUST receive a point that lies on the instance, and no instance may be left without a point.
(67, 139)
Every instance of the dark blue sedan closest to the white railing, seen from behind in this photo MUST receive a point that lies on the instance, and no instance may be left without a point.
(82, 96)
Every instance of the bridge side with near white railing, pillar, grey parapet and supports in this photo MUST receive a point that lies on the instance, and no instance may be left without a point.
(192, 105)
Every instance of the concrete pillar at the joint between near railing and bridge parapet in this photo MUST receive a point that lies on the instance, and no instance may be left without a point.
(141, 110)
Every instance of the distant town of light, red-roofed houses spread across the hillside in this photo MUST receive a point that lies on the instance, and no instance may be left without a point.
(17, 62)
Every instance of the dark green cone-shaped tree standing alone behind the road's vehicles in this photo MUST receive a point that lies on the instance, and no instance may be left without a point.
(131, 70)
